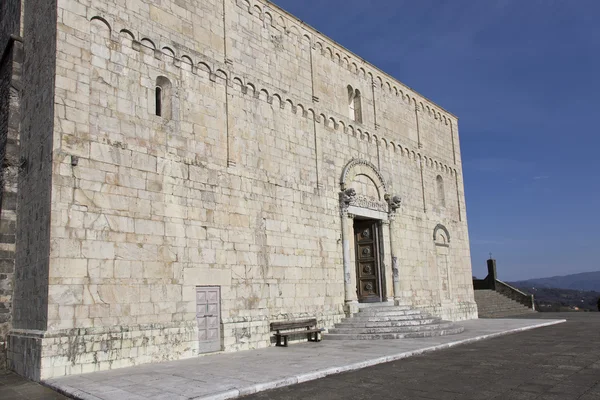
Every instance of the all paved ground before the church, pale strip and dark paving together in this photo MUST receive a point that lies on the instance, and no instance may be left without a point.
(560, 361)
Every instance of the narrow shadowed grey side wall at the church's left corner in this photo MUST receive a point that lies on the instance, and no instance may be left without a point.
(34, 183)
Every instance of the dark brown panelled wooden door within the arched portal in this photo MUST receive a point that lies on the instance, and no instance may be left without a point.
(368, 248)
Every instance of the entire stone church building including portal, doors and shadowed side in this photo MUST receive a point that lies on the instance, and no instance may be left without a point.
(190, 171)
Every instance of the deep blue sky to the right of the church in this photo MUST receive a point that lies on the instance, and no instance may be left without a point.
(523, 77)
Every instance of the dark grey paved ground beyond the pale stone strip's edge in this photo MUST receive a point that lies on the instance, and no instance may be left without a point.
(560, 362)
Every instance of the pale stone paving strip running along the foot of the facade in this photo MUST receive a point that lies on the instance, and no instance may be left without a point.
(231, 375)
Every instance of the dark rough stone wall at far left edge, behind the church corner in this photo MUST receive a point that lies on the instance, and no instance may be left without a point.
(10, 74)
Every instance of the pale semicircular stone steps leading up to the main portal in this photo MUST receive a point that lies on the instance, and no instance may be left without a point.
(382, 321)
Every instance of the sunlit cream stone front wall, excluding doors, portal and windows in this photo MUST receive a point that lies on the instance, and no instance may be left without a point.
(239, 188)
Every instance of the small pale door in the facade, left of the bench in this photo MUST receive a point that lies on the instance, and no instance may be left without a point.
(208, 314)
